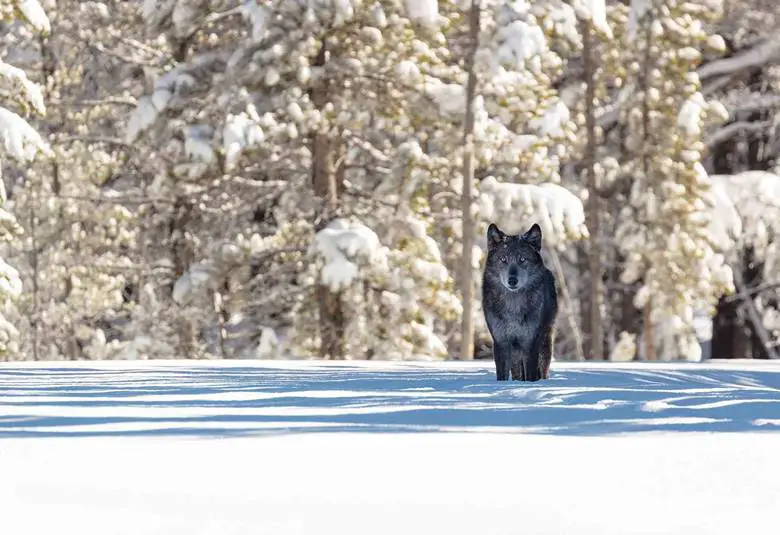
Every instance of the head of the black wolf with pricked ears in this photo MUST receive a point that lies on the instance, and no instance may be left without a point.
(515, 261)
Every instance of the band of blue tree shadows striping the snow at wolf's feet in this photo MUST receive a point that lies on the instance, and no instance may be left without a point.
(217, 401)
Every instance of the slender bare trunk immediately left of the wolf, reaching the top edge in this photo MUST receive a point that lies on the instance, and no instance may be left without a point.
(468, 231)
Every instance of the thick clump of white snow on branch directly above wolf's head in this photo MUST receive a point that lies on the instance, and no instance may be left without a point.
(514, 207)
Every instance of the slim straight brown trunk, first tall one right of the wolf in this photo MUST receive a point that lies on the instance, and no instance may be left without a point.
(595, 329)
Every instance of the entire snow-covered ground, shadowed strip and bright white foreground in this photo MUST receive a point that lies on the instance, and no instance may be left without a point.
(284, 447)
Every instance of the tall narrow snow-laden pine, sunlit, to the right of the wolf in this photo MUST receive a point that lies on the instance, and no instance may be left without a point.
(664, 231)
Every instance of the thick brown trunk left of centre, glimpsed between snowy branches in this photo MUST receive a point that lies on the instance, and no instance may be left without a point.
(325, 182)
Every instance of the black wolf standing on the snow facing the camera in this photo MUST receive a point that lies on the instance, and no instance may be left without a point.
(520, 303)
